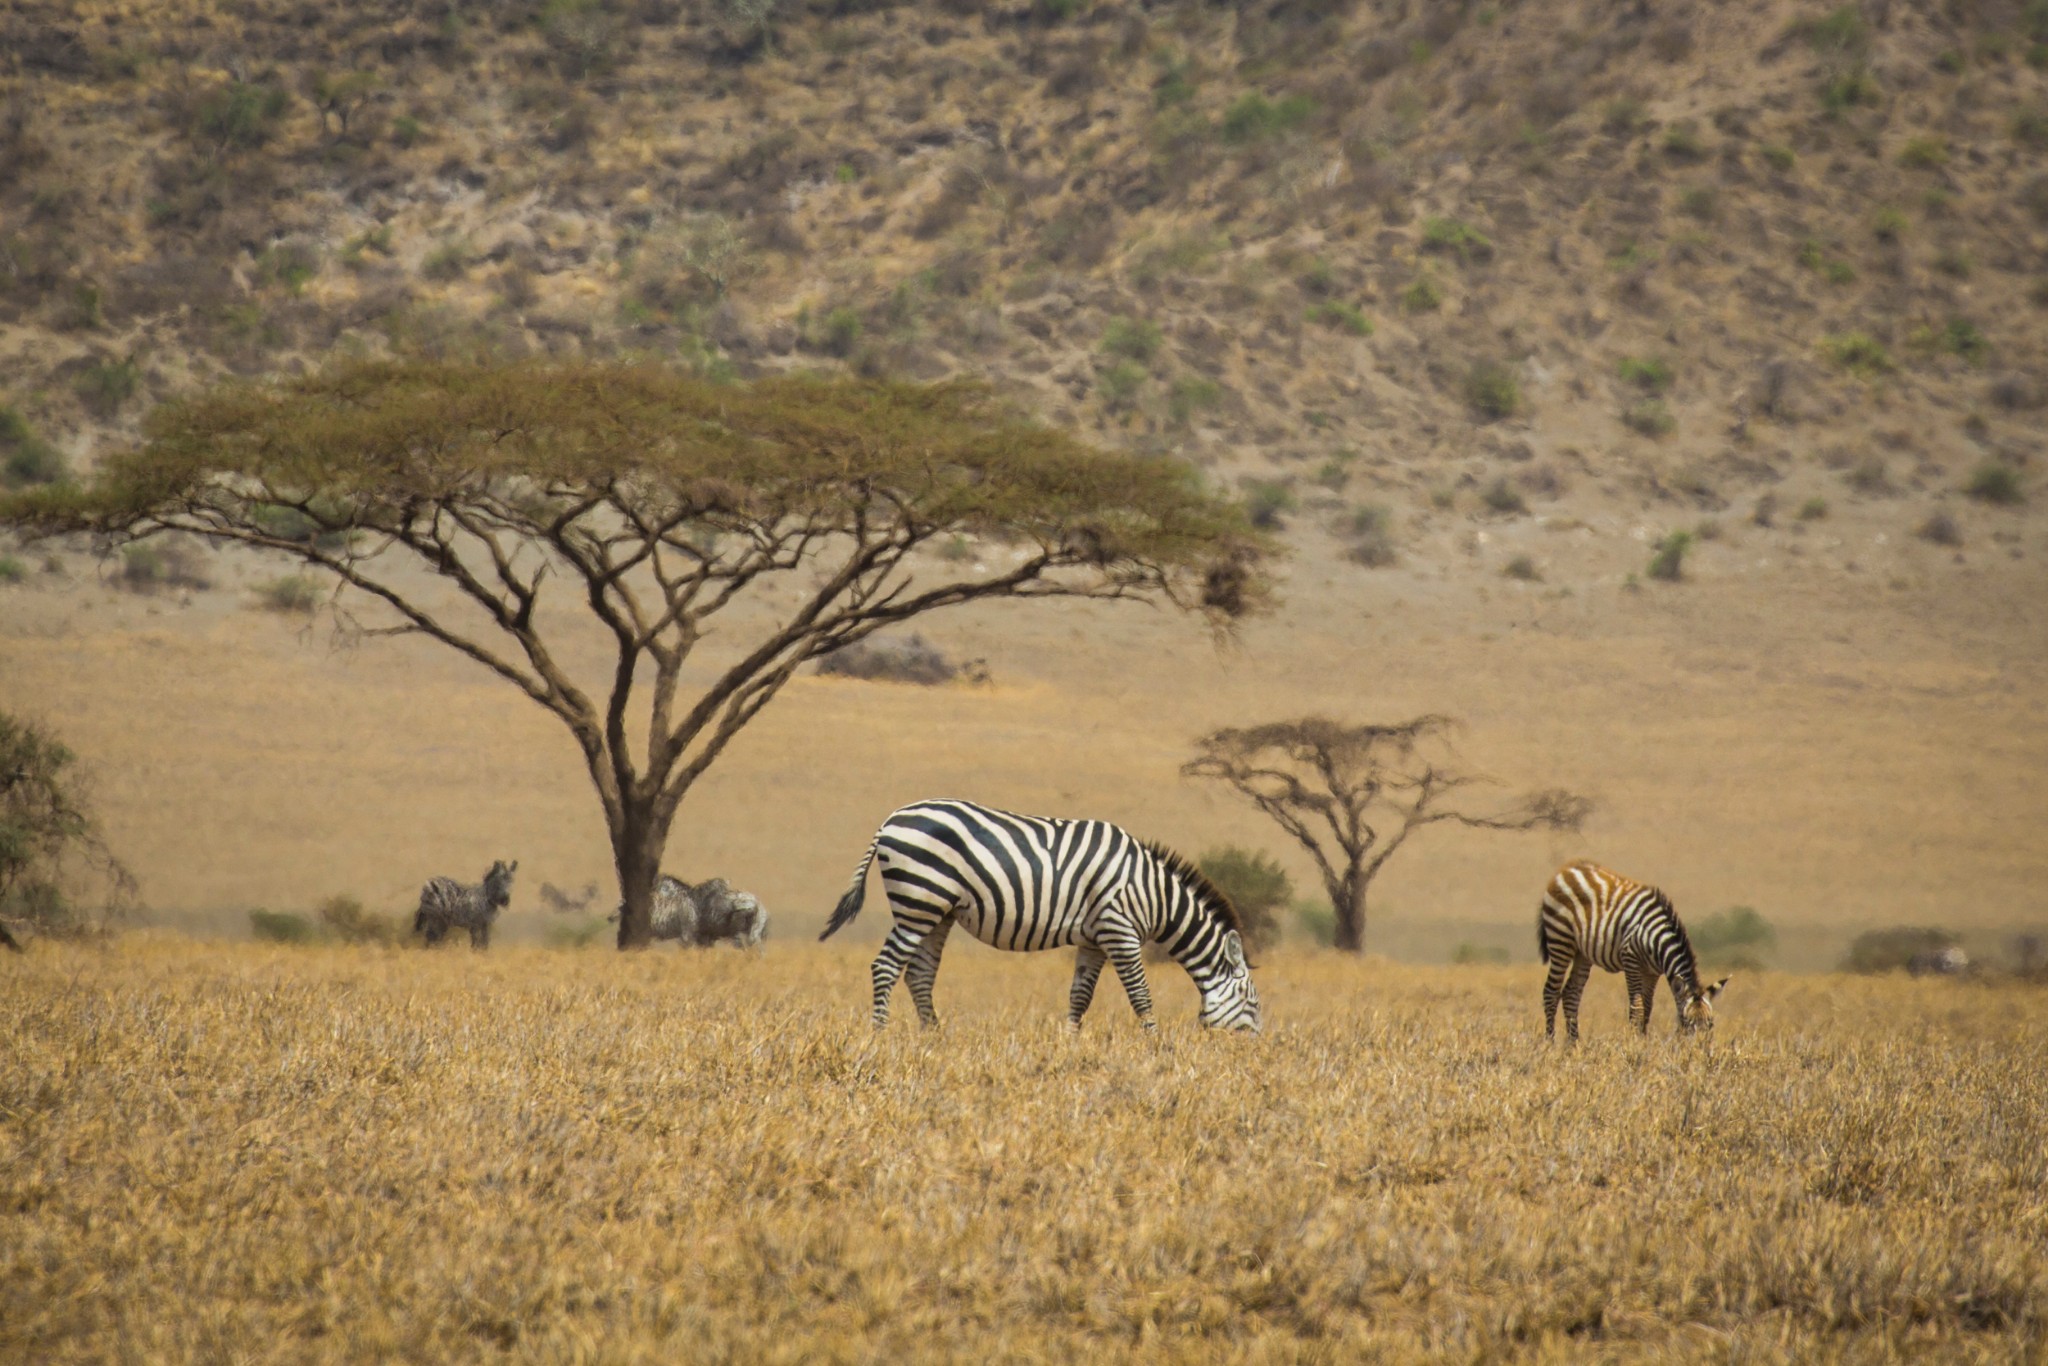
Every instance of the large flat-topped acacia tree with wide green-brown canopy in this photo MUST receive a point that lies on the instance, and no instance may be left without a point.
(642, 503)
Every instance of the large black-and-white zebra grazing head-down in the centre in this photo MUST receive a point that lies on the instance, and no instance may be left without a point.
(1027, 884)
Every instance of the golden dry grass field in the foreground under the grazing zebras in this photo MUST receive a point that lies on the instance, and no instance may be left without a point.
(253, 1154)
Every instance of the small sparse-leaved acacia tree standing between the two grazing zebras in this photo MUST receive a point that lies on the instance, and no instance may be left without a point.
(1353, 796)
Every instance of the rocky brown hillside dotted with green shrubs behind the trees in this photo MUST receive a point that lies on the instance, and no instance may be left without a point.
(1388, 265)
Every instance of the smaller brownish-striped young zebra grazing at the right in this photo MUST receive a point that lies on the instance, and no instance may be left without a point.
(1598, 919)
